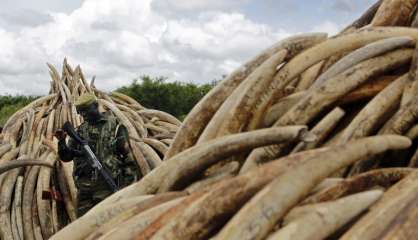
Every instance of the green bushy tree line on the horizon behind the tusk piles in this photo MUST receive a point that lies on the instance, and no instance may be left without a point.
(176, 98)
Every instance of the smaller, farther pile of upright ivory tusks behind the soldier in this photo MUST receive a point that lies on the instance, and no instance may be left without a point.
(29, 166)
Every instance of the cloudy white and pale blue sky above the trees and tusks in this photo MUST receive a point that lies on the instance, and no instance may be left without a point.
(117, 41)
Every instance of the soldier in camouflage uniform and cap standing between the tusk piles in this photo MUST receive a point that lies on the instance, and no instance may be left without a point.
(109, 141)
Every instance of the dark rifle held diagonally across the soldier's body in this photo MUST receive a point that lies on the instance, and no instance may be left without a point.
(94, 162)
